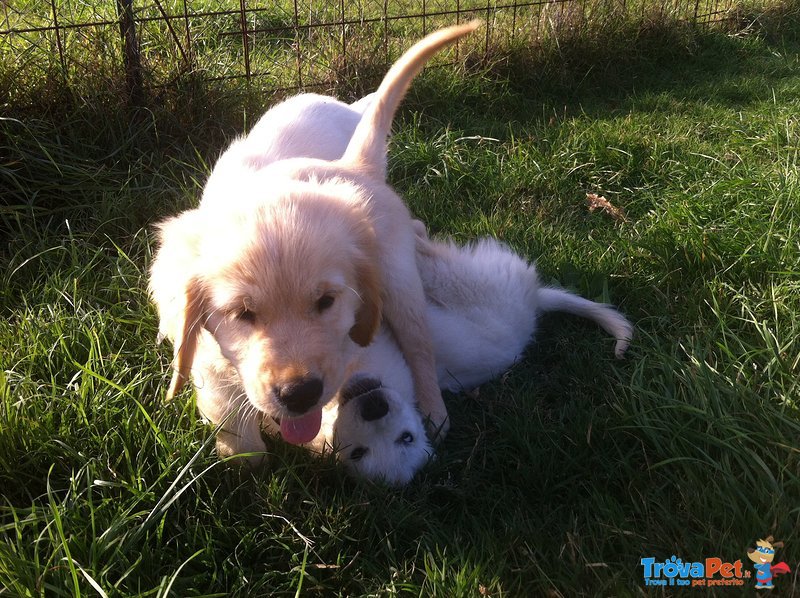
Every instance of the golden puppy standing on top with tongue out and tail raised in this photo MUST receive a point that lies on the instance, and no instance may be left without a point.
(268, 289)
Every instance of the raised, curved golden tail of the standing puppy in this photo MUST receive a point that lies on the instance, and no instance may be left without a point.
(367, 147)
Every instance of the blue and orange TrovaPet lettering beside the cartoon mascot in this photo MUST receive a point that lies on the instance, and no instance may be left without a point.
(712, 571)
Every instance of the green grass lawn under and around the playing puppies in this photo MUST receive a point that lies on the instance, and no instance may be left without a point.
(563, 474)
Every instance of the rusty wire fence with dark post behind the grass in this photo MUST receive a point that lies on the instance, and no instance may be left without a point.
(285, 44)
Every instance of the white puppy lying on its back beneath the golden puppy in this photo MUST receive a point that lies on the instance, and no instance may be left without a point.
(483, 302)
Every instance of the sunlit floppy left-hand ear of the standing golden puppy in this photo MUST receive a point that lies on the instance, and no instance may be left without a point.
(177, 293)
